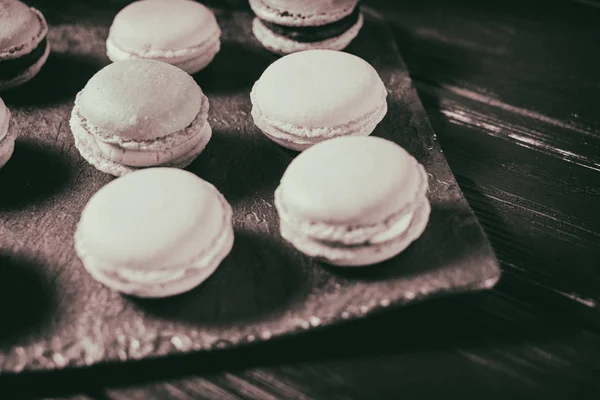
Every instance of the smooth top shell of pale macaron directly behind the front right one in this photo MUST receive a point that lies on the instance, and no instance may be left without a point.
(318, 88)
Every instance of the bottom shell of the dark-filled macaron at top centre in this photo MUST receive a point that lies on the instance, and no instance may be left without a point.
(282, 45)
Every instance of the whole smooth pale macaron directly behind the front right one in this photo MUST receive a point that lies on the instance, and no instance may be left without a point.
(307, 97)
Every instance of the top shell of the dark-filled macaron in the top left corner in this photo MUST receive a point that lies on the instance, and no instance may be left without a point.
(20, 28)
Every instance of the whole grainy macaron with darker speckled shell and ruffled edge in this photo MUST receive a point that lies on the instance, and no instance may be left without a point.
(136, 114)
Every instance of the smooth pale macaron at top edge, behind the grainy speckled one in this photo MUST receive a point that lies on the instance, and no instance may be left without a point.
(183, 33)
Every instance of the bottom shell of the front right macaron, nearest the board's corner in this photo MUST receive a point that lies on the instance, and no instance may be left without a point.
(359, 255)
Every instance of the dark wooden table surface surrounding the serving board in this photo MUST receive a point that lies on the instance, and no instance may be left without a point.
(512, 91)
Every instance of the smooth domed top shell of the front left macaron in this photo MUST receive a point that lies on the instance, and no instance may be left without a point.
(151, 219)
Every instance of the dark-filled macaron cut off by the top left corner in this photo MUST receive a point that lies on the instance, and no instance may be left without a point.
(24, 48)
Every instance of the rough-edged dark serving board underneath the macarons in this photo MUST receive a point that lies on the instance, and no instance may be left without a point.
(54, 315)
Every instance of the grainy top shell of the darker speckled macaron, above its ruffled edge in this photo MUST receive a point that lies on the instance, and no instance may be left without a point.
(140, 99)
